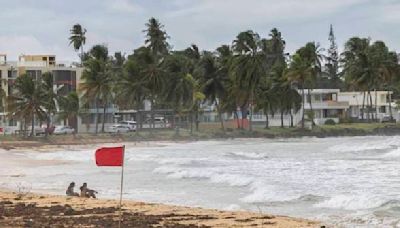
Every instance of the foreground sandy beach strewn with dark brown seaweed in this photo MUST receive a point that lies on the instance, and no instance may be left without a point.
(41, 210)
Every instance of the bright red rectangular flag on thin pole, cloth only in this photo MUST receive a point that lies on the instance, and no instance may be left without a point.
(110, 156)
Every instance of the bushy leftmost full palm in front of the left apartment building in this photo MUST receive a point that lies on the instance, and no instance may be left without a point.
(27, 103)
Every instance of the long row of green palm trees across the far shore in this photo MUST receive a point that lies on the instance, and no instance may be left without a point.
(249, 75)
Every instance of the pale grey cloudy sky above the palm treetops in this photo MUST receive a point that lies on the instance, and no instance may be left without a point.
(42, 26)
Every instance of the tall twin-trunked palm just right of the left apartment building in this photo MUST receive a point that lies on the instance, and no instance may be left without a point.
(97, 81)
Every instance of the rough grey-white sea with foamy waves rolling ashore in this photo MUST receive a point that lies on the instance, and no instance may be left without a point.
(346, 182)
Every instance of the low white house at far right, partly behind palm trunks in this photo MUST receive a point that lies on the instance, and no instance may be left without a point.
(356, 100)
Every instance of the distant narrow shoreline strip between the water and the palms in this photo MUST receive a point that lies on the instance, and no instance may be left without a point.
(10, 142)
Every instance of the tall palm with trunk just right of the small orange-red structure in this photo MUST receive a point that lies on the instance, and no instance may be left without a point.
(248, 67)
